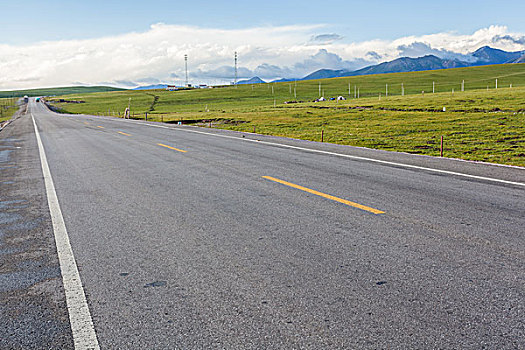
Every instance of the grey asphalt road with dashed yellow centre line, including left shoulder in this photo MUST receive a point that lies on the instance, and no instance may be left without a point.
(224, 240)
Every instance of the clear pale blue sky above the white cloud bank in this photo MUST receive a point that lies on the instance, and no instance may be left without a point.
(30, 21)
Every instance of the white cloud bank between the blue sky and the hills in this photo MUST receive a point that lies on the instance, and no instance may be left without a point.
(157, 55)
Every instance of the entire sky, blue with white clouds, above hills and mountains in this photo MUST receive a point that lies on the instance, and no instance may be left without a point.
(131, 43)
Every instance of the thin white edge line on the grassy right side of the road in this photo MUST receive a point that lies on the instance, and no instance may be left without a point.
(342, 155)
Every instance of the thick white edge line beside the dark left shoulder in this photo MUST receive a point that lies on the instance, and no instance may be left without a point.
(84, 336)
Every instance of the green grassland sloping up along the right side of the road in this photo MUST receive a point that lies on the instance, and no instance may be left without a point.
(482, 123)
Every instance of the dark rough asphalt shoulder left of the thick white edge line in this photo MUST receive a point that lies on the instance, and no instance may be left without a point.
(32, 303)
